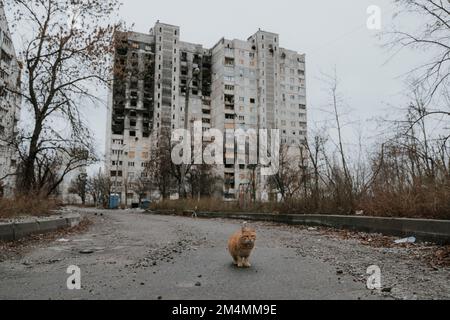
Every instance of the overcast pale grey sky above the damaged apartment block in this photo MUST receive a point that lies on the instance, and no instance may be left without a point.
(331, 33)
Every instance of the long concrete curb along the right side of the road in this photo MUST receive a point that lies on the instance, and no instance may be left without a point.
(437, 231)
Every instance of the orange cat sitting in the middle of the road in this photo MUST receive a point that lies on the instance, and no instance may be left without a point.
(241, 245)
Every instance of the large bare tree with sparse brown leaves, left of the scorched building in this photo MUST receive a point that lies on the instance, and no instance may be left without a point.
(65, 54)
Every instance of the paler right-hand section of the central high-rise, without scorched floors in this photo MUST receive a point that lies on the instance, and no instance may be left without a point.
(257, 85)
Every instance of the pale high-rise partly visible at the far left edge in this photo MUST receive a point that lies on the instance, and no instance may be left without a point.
(9, 106)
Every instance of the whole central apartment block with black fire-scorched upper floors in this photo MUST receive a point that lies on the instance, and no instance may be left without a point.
(252, 84)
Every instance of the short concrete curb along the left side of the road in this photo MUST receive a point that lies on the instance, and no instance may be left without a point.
(19, 230)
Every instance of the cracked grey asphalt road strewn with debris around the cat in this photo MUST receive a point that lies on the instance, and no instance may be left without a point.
(139, 256)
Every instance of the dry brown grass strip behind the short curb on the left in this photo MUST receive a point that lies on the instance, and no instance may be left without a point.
(27, 206)
